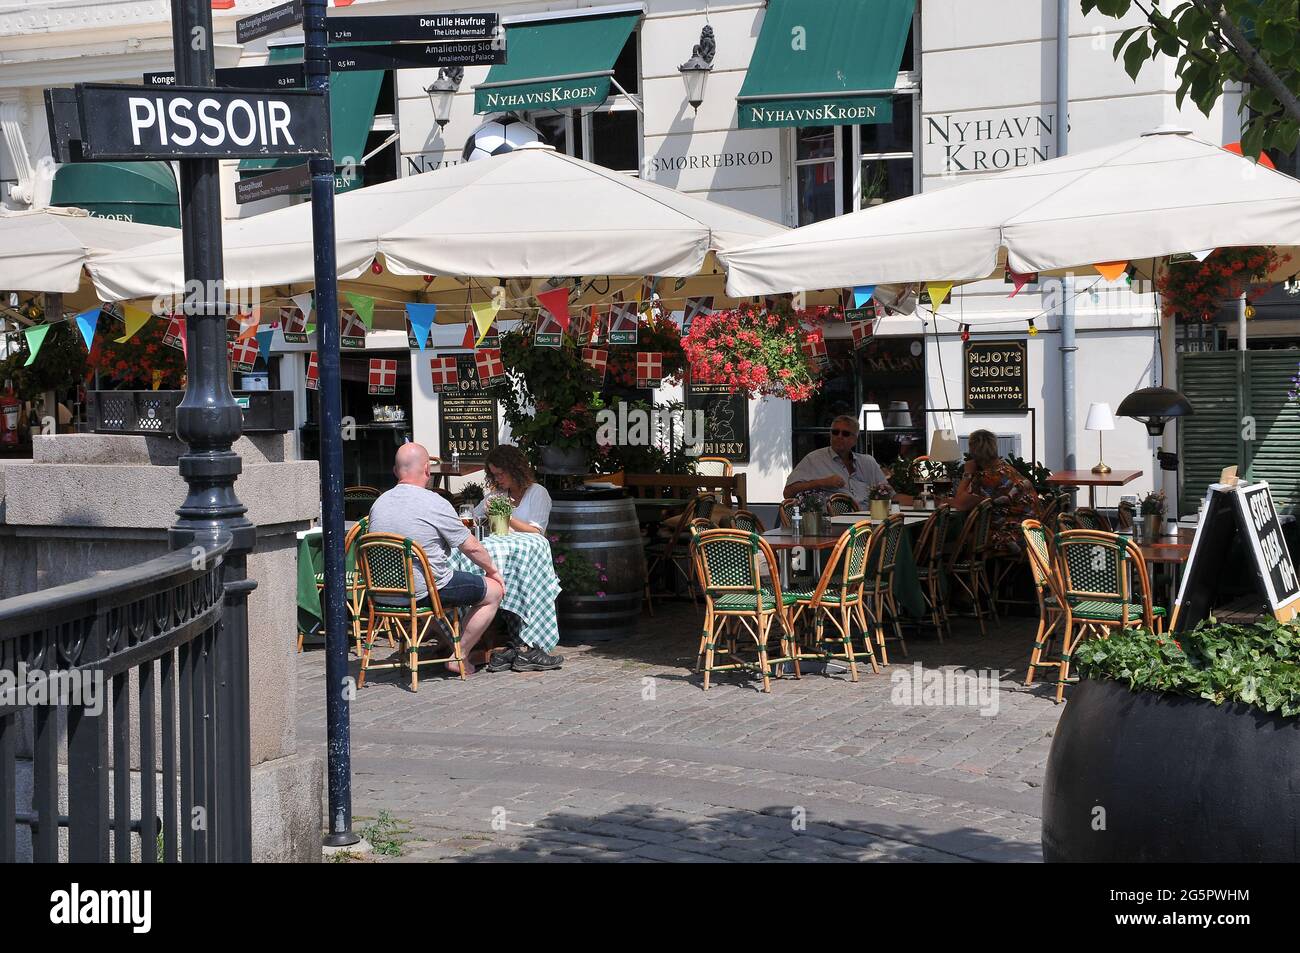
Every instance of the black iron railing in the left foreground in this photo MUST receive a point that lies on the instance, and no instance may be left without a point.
(172, 682)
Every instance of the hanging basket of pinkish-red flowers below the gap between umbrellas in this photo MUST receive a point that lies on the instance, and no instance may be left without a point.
(757, 352)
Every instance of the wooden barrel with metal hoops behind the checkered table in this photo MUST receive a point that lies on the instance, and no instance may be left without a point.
(603, 527)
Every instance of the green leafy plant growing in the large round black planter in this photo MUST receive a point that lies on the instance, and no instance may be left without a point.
(1221, 662)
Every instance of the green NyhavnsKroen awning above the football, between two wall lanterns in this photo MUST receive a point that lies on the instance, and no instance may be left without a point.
(557, 64)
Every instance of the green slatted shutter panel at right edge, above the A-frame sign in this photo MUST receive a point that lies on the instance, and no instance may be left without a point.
(1275, 454)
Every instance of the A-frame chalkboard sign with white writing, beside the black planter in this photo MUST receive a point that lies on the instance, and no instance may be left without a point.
(1247, 513)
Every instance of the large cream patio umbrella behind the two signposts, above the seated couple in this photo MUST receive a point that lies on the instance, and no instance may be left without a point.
(530, 214)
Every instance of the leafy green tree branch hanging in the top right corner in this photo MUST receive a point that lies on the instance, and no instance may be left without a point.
(1221, 42)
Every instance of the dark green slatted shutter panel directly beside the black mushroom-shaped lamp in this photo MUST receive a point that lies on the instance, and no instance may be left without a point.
(1211, 439)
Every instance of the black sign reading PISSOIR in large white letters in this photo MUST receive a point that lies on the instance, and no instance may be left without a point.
(125, 123)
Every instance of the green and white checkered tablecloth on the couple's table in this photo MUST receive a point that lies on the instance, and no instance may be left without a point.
(532, 586)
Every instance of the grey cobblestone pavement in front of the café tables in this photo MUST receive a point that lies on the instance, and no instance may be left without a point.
(623, 757)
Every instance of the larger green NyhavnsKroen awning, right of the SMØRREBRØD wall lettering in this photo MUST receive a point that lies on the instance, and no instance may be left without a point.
(826, 64)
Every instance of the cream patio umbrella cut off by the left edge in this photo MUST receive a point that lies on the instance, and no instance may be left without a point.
(45, 250)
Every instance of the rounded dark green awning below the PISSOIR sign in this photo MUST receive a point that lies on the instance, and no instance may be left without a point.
(142, 193)
